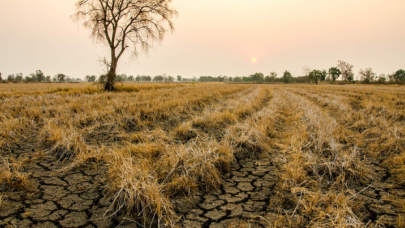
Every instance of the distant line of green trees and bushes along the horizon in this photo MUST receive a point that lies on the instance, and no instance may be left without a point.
(343, 73)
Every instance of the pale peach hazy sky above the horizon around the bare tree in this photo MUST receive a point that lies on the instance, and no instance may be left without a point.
(213, 37)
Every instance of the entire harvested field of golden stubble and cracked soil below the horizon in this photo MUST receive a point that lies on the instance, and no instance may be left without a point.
(203, 155)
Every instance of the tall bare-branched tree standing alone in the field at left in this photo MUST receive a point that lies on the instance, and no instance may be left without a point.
(126, 25)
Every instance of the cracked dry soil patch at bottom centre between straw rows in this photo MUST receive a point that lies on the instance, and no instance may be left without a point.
(244, 197)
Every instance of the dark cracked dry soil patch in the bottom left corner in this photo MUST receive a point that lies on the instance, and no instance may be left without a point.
(75, 198)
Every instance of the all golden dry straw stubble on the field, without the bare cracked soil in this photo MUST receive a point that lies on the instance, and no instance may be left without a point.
(164, 140)
